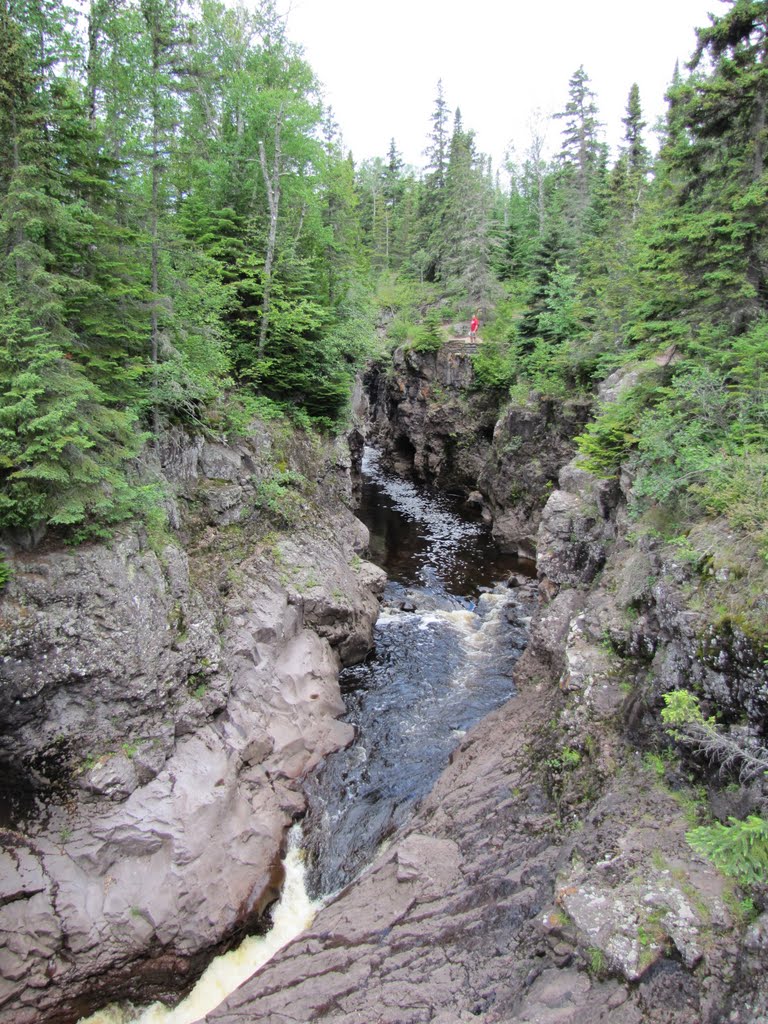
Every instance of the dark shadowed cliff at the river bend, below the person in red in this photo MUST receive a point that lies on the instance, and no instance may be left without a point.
(431, 421)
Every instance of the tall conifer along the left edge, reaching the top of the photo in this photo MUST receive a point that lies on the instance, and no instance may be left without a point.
(63, 442)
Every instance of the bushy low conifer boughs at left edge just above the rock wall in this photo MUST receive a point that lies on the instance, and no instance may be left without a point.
(64, 451)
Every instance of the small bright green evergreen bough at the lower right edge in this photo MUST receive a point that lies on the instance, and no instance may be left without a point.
(739, 850)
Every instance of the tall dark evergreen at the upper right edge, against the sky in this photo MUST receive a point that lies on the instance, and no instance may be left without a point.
(714, 170)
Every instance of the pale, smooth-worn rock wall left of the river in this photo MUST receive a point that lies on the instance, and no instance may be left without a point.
(159, 710)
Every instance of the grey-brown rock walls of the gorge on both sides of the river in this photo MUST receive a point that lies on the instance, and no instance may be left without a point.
(534, 882)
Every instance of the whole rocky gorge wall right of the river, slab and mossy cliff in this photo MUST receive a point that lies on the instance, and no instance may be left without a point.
(547, 878)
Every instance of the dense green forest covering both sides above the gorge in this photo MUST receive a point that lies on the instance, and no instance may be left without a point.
(186, 241)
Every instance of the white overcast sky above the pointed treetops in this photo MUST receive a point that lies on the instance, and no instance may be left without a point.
(500, 61)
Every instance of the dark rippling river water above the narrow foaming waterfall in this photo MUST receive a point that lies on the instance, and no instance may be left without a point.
(439, 667)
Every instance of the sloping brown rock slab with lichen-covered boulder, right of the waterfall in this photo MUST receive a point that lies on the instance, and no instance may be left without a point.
(490, 908)
